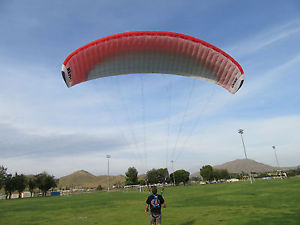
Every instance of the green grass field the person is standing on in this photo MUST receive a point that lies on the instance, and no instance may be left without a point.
(264, 202)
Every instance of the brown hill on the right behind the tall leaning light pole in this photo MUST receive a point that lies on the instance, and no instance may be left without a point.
(241, 165)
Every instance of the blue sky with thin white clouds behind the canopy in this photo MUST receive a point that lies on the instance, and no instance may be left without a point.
(146, 120)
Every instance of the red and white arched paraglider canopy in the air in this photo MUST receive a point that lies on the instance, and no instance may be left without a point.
(152, 52)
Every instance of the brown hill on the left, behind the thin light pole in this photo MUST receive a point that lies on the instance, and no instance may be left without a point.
(83, 178)
